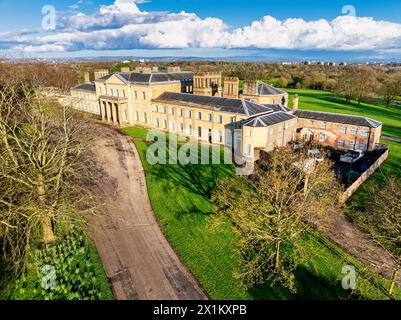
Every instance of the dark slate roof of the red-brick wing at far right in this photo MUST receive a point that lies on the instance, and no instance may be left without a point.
(338, 118)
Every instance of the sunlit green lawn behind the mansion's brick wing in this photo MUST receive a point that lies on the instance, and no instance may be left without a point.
(329, 102)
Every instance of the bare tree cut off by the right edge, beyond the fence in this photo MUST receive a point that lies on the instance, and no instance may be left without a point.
(383, 220)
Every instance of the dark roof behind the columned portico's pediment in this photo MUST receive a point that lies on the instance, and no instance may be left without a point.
(154, 77)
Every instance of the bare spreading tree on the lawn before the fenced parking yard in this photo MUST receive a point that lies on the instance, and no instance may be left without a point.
(268, 211)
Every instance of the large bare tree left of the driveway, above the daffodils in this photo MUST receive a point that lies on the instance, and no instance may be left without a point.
(43, 168)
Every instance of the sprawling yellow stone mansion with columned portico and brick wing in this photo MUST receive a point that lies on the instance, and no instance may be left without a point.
(203, 106)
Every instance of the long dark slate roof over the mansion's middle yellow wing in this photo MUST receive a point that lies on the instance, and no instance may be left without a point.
(237, 106)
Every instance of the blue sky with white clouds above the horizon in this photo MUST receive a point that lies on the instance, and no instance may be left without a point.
(261, 29)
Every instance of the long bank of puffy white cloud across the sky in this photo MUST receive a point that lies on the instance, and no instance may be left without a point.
(124, 26)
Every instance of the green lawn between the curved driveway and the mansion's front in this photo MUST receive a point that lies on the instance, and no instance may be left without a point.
(180, 199)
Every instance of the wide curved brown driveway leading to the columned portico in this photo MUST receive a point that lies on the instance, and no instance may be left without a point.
(138, 260)
